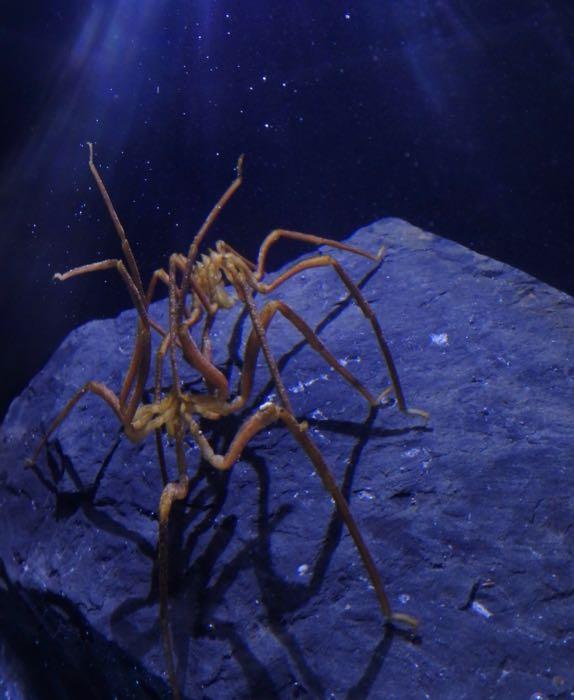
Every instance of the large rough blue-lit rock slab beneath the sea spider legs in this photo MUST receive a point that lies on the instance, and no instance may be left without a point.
(470, 520)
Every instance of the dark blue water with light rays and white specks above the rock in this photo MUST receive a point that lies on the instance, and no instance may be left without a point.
(456, 116)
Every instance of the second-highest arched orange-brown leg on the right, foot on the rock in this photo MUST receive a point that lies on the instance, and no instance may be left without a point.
(355, 292)
